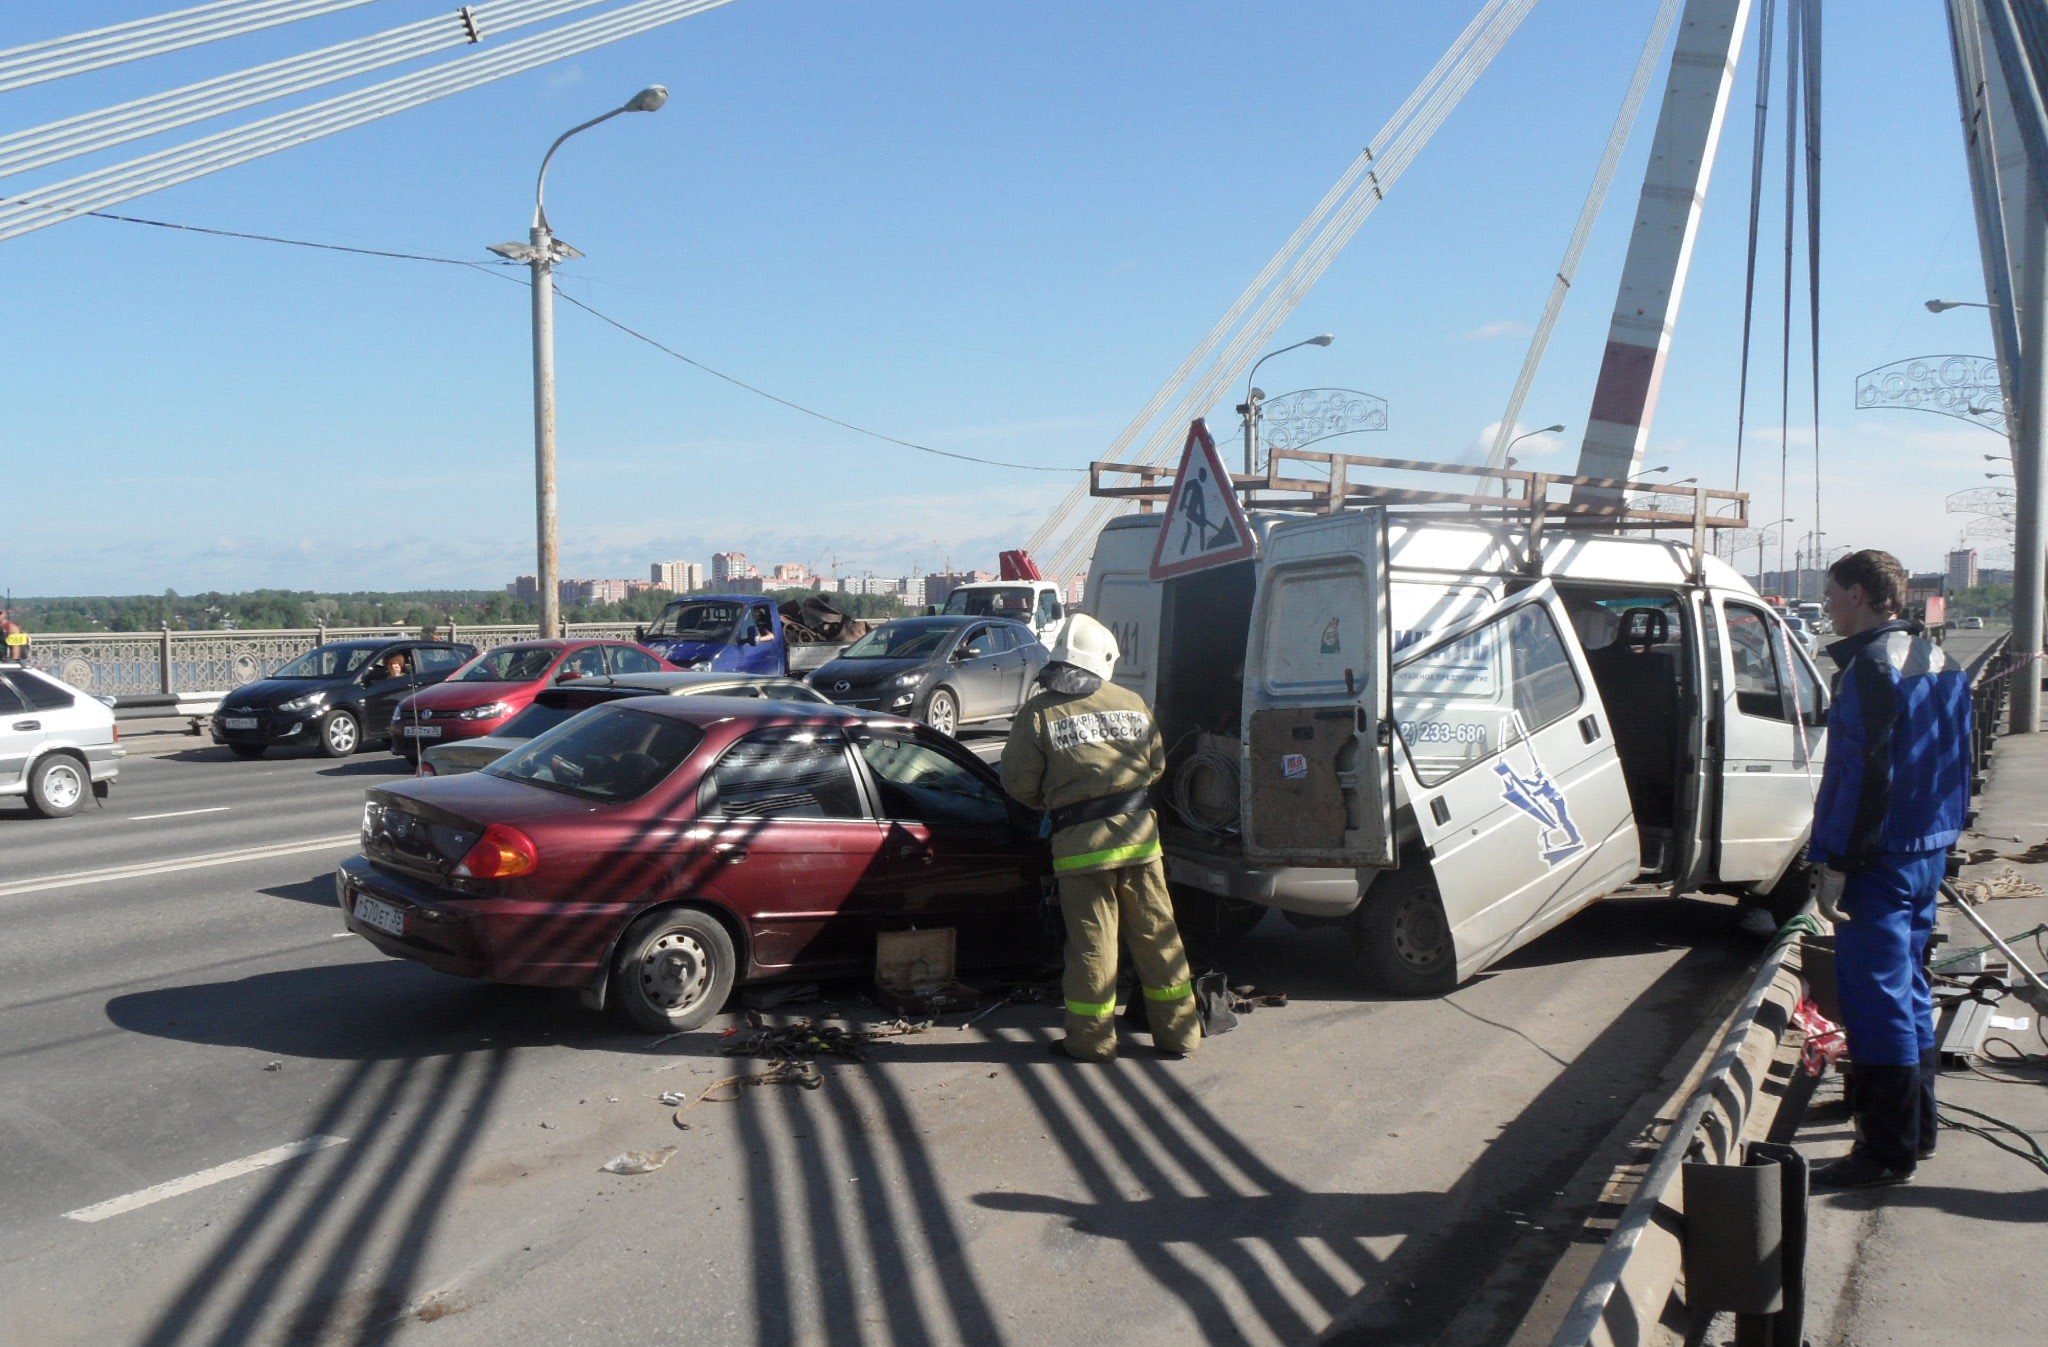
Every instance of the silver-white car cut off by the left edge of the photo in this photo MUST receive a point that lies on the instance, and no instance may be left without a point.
(58, 746)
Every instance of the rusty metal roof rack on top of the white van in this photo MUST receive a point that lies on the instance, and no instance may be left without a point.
(1326, 484)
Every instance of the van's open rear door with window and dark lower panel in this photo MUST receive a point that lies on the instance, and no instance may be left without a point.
(1318, 752)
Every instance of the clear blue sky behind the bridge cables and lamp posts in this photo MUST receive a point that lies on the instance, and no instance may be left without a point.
(990, 228)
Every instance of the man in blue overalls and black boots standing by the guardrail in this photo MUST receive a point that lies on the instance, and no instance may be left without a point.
(1891, 806)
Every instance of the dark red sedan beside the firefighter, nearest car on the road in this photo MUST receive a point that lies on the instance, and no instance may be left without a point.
(658, 851)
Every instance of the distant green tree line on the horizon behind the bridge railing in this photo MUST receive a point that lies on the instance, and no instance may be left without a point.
(413, 609)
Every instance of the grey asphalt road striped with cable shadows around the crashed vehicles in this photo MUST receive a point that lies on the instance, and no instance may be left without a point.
(228, 1123)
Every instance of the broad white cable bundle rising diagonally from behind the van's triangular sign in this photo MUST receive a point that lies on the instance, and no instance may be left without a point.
(1289, 275)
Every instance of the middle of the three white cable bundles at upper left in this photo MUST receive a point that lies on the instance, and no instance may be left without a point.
(181, 107)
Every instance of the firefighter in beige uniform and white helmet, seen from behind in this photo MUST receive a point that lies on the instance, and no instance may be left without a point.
(1086, 752)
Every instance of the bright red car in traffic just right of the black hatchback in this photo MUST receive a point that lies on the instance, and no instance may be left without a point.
(503, 683)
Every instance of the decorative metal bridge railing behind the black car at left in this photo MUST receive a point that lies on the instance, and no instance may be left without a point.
(144, 662)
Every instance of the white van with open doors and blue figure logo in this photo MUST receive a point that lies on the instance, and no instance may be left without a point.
(1447, 740)
